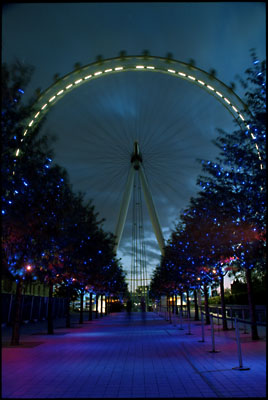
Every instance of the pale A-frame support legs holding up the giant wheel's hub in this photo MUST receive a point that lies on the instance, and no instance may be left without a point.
(137, 167)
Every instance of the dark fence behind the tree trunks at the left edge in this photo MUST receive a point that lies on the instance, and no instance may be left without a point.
(33, 308)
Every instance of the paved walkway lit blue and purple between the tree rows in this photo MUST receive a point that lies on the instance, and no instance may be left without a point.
(144, 356)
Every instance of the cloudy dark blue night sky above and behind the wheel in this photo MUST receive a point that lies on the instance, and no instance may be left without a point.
(173, 121)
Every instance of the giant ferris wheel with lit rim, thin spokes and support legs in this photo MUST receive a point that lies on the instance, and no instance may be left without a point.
(139, 123)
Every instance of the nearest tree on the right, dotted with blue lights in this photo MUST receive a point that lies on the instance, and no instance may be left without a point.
(239, 172)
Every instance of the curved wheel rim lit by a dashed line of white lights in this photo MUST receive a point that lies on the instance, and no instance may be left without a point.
(225, 95)
